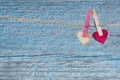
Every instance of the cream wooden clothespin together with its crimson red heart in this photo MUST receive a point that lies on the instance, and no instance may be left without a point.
(100, 35)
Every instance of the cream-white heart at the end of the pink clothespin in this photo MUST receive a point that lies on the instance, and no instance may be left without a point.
(82, 39)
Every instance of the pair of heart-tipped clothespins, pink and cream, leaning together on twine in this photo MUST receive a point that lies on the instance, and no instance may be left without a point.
(100, 35)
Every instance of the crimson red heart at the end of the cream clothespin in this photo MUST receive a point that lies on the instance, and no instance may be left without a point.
(100, 39)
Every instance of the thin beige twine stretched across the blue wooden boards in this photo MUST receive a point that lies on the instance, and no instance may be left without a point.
(50, 22)
